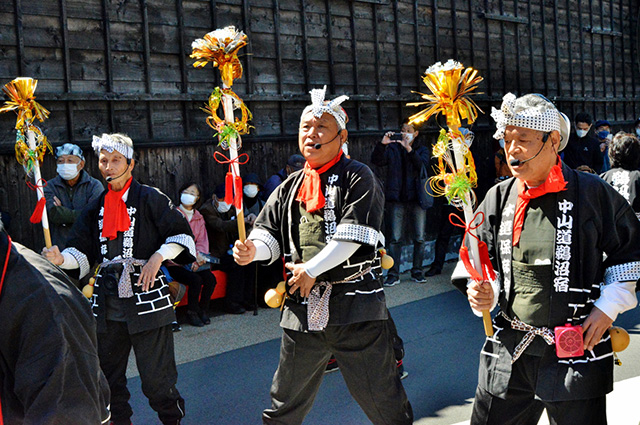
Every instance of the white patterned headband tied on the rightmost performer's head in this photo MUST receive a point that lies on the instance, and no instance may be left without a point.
(546, 121)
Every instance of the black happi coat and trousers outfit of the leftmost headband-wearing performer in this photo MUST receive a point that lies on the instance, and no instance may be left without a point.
(126, 316)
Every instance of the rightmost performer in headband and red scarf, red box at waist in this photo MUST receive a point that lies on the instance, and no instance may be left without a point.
(546, 231)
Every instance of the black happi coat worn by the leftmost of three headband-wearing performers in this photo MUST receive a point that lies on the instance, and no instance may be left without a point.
(155, 221)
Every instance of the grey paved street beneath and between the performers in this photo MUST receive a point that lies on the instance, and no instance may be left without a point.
(225, 368)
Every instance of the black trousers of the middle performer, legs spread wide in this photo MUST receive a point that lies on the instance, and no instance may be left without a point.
(365, 354)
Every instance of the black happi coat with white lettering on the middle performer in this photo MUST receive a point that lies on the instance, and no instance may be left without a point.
(353, 213)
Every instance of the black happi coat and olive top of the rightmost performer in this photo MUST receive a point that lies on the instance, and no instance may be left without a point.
(574, 227)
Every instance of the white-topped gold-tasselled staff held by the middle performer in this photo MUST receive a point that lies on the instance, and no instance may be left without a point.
(220, 47)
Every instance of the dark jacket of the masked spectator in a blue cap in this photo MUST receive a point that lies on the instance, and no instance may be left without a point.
(73, 200)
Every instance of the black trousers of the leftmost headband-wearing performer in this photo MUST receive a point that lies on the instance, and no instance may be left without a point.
(157, 366)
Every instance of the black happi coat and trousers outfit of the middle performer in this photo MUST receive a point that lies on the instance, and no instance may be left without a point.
(356, 330)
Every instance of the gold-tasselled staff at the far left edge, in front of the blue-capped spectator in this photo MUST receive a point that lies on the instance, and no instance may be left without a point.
(31, 143)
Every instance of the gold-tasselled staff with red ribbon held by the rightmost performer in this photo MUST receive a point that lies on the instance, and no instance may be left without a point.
(450, 85)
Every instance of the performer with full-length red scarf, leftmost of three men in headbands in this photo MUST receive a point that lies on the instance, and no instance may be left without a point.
(130, 230)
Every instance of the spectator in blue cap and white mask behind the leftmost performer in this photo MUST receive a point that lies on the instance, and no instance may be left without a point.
(68, 192)
